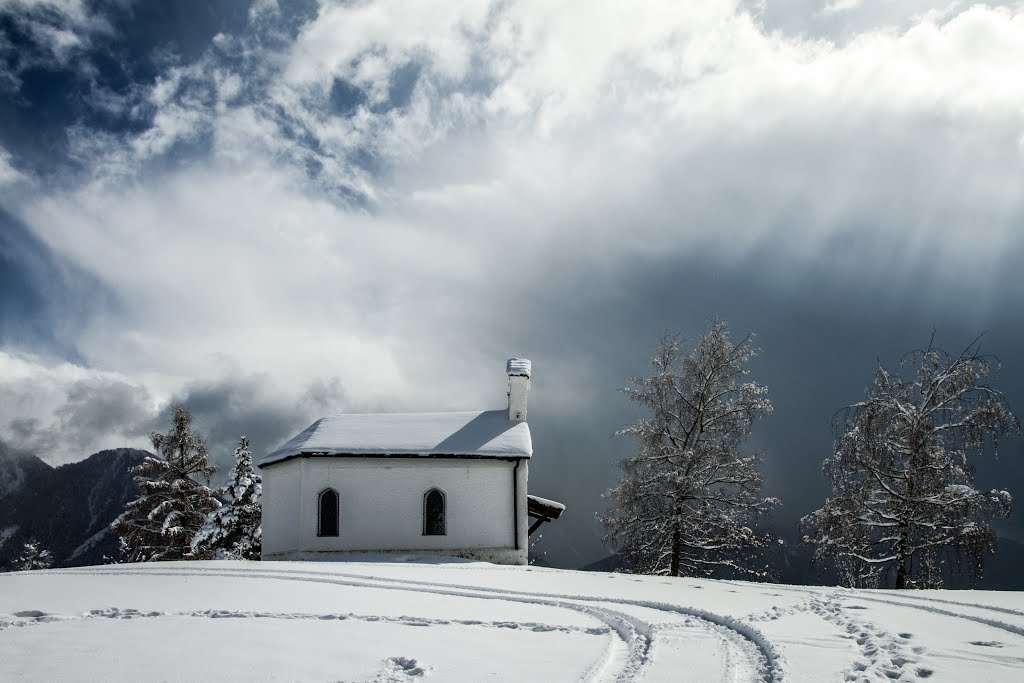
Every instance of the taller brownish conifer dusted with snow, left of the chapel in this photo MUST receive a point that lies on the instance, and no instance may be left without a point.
(173, 505)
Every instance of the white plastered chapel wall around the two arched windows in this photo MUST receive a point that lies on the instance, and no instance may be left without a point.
(381, 507)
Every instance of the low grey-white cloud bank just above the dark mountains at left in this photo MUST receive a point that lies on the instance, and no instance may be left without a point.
(63, 412)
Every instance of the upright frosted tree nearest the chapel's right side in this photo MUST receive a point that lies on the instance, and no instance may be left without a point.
(689, 498)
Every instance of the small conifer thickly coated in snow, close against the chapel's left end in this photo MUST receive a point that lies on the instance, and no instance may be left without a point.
(233, 531)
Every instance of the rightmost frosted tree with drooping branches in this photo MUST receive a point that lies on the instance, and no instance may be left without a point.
(905, 507)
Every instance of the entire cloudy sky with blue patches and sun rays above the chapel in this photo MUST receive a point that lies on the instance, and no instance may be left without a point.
(279, 210)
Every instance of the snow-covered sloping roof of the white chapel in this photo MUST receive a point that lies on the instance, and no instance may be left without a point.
(481, 435)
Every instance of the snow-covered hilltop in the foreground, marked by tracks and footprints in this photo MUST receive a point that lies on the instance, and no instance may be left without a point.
(475, 622)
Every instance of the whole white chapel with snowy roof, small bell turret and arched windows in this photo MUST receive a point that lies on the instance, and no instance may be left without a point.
(440, 484)
